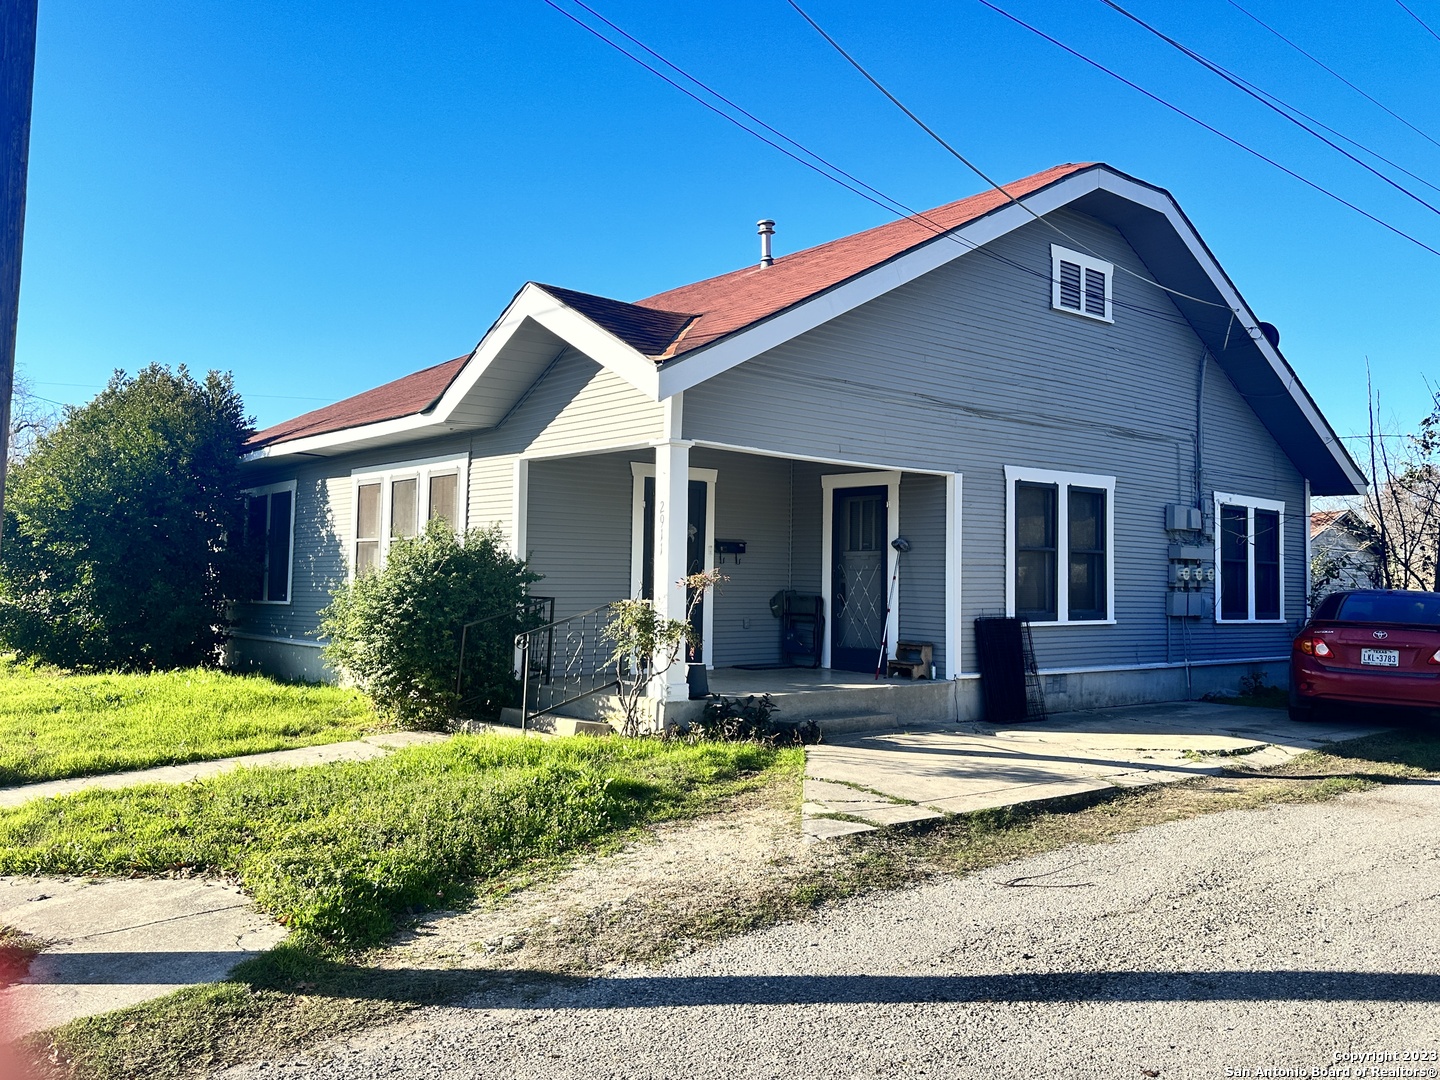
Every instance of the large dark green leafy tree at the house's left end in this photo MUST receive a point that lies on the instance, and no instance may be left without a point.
(116, 526)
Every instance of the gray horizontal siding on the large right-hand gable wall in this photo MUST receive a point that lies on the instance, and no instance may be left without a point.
(968, 369)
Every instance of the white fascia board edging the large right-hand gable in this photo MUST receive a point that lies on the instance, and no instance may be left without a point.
(712, 361)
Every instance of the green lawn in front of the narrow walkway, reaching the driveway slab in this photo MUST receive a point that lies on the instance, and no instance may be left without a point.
(342, 852)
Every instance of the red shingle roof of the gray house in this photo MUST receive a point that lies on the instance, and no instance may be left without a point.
(682, 320)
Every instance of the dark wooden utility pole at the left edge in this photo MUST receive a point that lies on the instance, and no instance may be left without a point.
(17, 93)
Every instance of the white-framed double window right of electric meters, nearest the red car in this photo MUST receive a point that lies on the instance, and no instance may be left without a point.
(1249, 541)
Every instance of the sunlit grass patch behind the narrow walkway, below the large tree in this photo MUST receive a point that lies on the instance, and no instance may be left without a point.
(57, 725)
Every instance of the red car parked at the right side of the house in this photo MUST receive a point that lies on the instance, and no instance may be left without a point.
(1370, 647)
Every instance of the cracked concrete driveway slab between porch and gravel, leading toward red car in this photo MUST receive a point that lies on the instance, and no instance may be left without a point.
(891, 778)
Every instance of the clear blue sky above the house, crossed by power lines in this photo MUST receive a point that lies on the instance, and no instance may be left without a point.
(325, 197)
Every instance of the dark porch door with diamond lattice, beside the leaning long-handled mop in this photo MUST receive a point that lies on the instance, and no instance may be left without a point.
(858, 626)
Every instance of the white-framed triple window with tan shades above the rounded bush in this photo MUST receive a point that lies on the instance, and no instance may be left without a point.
(397, 502)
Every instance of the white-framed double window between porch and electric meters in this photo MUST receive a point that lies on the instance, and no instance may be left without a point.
(1061, 529)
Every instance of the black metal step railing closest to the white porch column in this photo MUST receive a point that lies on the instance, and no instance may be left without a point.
(565, 662)
